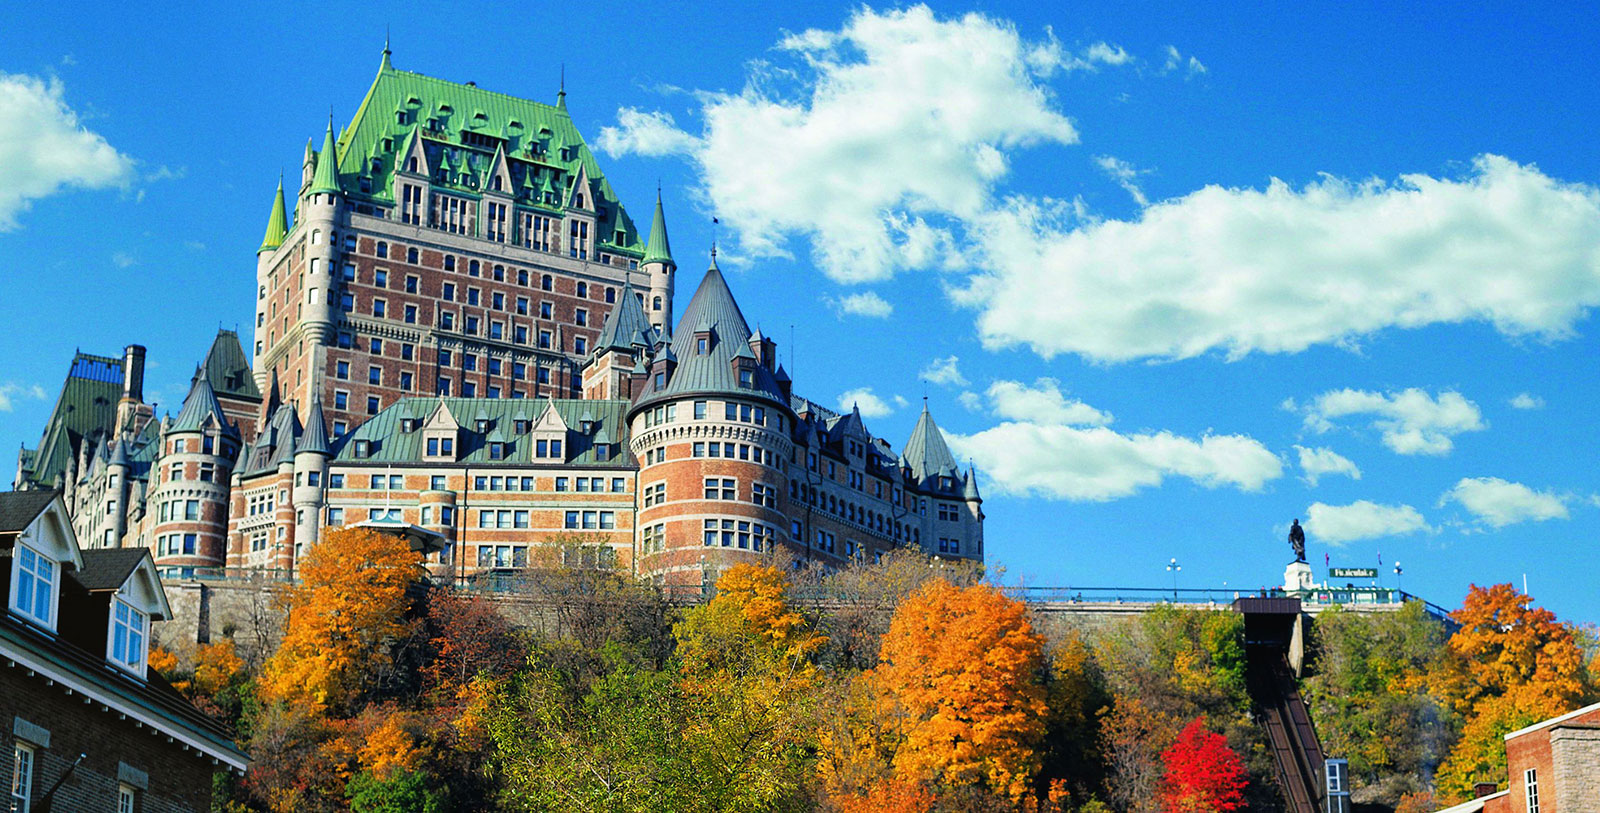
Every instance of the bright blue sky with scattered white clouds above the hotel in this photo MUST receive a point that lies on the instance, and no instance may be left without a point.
(1198, 266)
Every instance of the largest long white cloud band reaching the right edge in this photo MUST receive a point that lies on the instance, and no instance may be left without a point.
(1242, 271)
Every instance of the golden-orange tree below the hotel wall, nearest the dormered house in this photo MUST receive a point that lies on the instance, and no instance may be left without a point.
(343, 615)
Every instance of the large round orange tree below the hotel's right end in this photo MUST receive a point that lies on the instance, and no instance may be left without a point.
(961, 667)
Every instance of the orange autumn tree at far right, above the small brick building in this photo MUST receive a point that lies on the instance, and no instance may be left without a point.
(1511, 665)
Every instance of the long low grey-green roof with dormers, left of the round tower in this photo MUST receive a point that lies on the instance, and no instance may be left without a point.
(393, 446)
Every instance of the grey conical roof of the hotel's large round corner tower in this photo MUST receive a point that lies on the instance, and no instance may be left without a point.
(714, 310)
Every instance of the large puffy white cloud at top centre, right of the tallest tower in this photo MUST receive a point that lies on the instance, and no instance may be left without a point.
(892, 134)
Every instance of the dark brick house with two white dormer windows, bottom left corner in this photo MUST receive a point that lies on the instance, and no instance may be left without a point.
(92, 727)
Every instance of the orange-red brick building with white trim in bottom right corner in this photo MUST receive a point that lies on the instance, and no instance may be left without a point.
(1553, 767)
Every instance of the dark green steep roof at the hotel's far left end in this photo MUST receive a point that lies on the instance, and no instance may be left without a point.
(87, 407)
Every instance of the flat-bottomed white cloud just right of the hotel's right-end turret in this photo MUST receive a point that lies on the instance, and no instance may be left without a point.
(1057, 447)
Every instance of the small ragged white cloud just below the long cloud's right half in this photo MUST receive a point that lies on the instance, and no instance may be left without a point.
(1412, 422)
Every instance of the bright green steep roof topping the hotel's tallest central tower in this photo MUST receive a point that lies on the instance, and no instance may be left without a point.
(462, 127)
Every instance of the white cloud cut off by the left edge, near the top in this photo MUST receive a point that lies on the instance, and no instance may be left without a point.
(44, 148)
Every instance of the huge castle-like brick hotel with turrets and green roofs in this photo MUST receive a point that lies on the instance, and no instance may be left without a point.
(463, 335)
